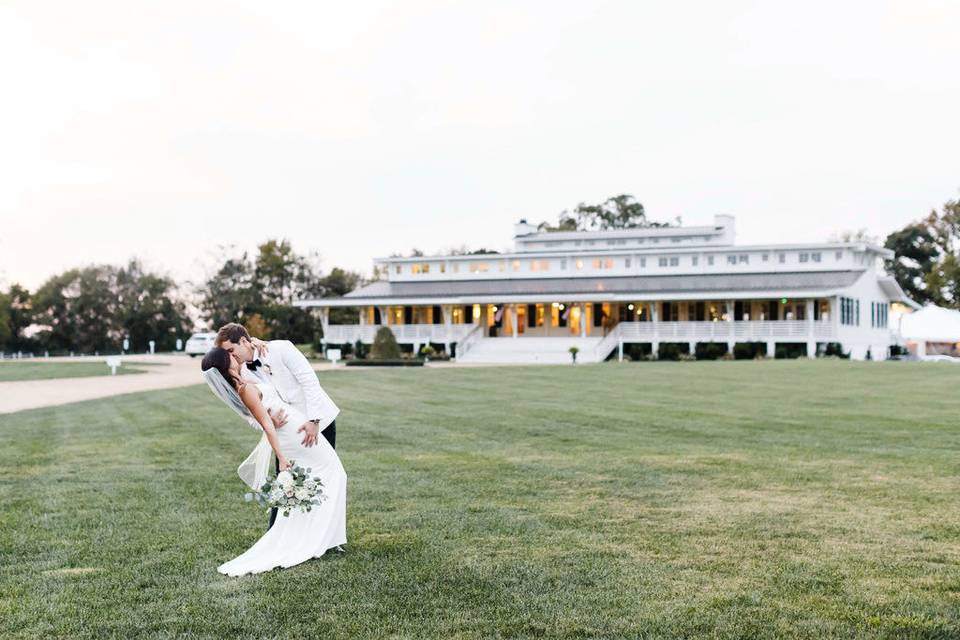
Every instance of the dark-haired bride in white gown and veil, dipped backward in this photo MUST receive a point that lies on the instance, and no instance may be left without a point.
(300, 536)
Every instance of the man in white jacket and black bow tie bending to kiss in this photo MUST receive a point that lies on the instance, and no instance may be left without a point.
(286, 368)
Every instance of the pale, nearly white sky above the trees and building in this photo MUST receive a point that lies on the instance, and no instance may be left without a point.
(163, 129)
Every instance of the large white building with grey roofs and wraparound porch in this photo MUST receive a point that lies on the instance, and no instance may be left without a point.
(605, 290)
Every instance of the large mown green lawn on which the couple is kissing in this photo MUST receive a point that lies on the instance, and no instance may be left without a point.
(777, 499)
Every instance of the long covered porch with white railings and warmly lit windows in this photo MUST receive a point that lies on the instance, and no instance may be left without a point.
(688, 321)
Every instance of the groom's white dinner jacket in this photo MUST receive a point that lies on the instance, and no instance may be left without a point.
(287, 369)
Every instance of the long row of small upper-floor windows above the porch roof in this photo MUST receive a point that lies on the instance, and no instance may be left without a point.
(628, 262)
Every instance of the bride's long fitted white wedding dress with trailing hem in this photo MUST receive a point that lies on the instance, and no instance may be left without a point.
(300, 536)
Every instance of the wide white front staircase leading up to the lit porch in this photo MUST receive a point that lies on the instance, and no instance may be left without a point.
(530, 350)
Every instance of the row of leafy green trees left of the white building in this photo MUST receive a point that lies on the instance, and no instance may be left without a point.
(96, 307)
